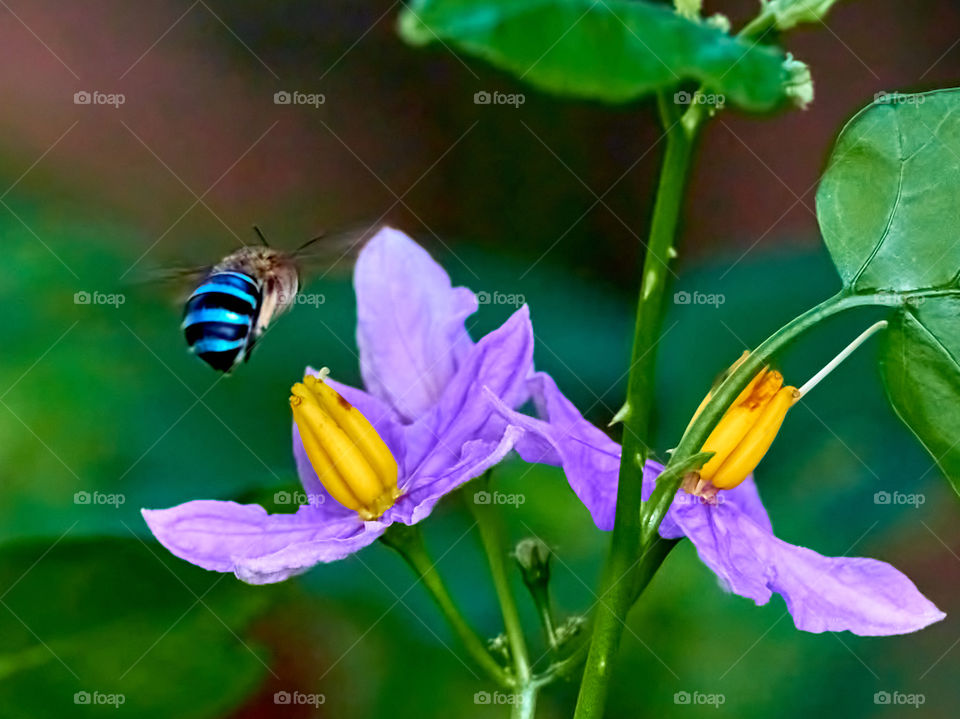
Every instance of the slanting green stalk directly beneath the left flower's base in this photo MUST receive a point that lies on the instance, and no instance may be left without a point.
(408, 542)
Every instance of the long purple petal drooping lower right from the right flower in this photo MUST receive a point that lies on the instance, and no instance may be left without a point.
(863, 596)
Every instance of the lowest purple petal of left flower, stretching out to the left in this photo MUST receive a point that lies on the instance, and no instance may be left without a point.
(259, 548)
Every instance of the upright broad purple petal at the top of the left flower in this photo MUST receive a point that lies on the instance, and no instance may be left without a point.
(409, 323)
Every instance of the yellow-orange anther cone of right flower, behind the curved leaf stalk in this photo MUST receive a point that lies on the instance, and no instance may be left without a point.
(747, 429)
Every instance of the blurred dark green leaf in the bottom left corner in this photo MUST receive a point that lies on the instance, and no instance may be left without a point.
(119, 617)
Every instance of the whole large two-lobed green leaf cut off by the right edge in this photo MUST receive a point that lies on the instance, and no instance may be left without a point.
(889, 214)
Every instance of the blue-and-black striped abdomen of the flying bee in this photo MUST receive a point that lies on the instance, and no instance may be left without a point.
(219, 318)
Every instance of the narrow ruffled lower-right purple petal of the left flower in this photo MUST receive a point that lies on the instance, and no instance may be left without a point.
(477, 457)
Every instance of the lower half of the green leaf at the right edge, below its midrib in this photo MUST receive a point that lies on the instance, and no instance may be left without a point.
(920, 365)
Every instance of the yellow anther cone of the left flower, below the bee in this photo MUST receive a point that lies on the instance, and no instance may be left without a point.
(351, 460)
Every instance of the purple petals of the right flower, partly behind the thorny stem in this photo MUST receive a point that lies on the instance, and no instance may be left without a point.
(732, 534)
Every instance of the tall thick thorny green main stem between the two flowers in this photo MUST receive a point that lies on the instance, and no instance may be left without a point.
(617, 590)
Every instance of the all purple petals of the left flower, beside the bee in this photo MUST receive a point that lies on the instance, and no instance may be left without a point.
(428, 397)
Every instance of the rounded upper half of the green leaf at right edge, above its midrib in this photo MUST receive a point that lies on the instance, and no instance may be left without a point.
(887, 204)
